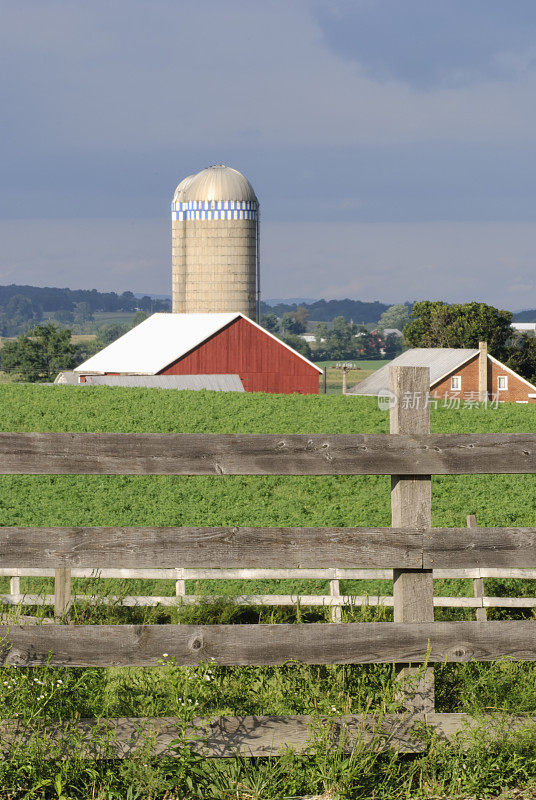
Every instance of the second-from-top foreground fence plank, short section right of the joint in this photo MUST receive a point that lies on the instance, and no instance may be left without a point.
(480, 547)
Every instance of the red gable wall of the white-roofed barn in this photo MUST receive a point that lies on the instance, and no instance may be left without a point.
(263, 364)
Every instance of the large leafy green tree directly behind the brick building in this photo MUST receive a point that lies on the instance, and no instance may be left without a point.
(437, 324)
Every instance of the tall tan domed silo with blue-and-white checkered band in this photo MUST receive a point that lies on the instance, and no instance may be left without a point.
(215, 243)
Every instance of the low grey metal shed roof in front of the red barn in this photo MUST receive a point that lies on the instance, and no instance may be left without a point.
(214, 383)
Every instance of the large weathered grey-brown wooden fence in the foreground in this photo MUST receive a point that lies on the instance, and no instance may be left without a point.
(411, 548)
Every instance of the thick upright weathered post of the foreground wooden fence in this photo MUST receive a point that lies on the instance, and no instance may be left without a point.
(411, 507)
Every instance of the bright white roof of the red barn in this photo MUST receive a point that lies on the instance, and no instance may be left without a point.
(160, 340)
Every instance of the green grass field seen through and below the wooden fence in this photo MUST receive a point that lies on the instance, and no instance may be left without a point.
(482, 767)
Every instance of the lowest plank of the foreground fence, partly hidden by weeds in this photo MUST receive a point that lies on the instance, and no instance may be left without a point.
(257, 736)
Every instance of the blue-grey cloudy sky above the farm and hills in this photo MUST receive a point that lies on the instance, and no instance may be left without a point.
(391, 144)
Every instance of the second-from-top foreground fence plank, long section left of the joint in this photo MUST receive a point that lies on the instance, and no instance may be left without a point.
(210, 547)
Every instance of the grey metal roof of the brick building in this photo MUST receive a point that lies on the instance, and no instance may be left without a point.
(441, 361)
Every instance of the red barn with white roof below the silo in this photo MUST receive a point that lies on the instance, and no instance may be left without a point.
(206, 344)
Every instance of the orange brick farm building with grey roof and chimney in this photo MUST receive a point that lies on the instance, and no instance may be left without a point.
(468, 374)
